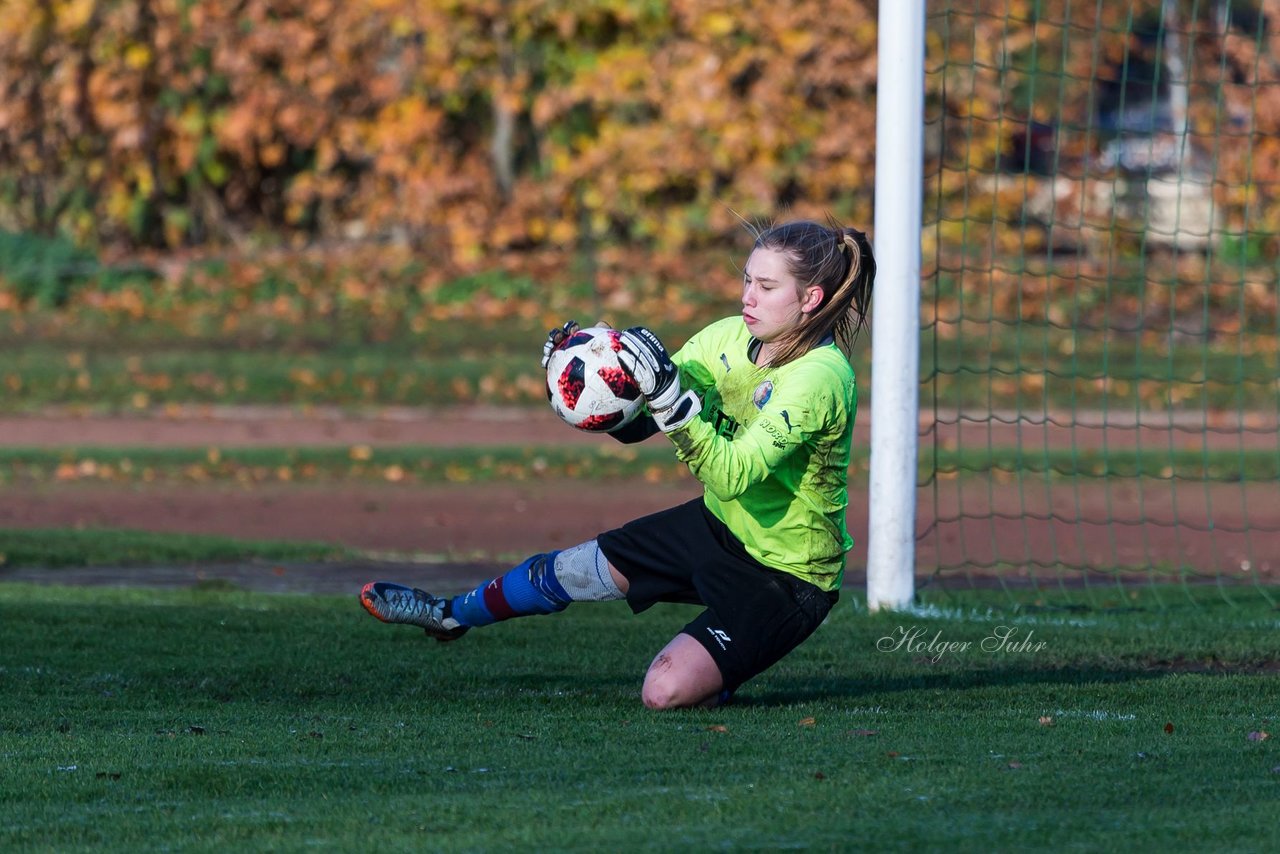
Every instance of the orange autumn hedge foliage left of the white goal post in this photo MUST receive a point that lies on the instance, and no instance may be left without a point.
(469, 126)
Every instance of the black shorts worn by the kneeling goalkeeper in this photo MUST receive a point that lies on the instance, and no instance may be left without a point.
(755, 615)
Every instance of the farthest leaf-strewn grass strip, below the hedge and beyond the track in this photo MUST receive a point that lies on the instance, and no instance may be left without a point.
(1030, 372)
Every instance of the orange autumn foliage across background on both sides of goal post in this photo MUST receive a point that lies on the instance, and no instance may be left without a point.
(476, 129)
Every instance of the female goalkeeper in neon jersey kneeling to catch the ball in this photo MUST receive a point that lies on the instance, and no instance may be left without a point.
(761, 407)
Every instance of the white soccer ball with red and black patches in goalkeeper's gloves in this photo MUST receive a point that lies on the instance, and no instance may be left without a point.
(587, 385)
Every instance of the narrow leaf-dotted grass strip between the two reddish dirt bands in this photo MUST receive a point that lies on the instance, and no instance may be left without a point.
(655, 463)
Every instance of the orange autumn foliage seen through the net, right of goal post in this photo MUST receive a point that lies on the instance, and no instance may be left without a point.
(1050, 63)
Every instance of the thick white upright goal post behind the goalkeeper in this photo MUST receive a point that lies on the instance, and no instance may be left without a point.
(897, 314)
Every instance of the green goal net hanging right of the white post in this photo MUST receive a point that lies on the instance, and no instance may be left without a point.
(1100, 328)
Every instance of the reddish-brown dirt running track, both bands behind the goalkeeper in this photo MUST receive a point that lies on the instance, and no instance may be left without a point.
(460, 533)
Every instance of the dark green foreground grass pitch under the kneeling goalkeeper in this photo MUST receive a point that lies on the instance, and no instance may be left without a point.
(141, 720)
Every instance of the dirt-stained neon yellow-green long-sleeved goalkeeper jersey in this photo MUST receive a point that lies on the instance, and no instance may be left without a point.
(772, 449)
